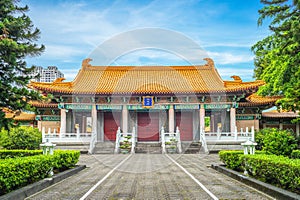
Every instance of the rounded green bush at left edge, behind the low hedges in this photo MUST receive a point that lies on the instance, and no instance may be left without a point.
(21, 138)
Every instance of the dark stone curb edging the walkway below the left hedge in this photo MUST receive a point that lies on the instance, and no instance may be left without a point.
(31, 189)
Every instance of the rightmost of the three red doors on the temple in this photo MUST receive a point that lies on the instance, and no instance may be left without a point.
(184, 120)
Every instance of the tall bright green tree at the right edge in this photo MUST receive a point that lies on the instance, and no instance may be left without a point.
(277, 57)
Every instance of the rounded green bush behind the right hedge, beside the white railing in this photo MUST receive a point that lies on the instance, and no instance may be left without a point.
(275, 141)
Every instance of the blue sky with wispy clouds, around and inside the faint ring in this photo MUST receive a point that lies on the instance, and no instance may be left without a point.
(71, 31)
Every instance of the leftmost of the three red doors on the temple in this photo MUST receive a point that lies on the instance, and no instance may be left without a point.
(111, 124)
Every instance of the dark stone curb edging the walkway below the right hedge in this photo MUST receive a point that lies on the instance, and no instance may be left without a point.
(271, 190)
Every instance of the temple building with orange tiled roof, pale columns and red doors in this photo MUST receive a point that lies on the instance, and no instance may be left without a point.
(147, 98)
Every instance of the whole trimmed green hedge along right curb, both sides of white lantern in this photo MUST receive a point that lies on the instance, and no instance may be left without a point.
(277, 170)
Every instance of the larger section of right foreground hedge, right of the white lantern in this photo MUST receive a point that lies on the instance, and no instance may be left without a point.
(276, 170)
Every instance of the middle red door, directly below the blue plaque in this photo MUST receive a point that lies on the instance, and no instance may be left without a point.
(148, 126)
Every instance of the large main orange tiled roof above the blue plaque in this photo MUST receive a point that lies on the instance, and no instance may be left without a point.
(146, 80)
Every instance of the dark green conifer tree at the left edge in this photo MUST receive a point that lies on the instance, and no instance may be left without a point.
(17, 37)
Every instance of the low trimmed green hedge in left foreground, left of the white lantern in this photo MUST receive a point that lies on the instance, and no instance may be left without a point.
(19, 172)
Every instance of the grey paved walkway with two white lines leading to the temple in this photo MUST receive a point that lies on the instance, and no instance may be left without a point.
(149, 176)
